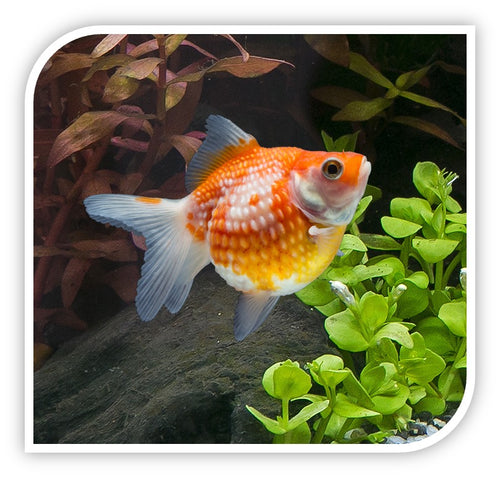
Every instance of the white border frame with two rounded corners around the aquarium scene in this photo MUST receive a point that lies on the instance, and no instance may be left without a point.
(467, 30)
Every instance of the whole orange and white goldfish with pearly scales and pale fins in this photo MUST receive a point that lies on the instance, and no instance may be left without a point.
(270, 220)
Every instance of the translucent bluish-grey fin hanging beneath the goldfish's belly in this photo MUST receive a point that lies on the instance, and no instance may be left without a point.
(252, 310)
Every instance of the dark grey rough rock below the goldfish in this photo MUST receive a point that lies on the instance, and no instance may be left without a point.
(176, 379)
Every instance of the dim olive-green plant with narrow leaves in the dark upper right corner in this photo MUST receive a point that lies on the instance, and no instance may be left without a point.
(386, 93)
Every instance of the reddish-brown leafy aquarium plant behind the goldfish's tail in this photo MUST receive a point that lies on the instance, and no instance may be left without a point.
(131, 95)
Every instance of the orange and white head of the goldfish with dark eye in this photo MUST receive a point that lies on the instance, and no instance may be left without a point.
(327, 186)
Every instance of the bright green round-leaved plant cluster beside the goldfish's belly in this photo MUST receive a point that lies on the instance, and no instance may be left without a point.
(398, 322)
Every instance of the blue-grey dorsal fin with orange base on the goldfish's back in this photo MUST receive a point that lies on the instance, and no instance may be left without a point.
(224, 140)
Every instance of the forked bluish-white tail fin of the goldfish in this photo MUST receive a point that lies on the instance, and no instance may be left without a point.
(172, 258)
